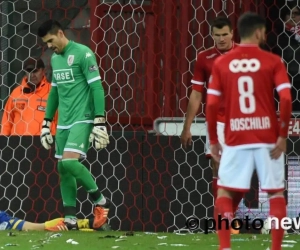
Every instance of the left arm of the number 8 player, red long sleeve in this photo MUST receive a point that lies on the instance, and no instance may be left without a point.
(212, 106)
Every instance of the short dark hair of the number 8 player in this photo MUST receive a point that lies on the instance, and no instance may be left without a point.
(248, 23)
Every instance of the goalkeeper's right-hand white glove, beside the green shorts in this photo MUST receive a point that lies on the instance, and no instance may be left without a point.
(99, 133)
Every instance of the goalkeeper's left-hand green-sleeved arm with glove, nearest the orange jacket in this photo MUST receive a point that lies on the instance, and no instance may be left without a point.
(51, 108)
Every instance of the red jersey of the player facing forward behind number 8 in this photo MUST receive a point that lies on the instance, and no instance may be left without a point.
(202, 72)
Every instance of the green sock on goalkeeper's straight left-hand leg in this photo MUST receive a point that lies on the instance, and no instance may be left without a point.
(68, 189)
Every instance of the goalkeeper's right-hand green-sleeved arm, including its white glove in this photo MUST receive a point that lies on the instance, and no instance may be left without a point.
(91, 72)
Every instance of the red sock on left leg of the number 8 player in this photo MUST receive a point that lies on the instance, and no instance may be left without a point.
(224, 205)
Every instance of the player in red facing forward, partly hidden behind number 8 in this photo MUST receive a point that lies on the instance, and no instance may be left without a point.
(222, 34)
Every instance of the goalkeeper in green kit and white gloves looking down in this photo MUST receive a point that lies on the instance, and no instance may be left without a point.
(78, 95)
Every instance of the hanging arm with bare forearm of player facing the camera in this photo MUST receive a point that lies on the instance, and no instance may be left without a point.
(198, 82)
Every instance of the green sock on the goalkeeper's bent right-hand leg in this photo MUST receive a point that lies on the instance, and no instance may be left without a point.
(82, 175)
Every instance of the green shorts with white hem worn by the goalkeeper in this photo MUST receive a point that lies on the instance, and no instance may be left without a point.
(75, 139)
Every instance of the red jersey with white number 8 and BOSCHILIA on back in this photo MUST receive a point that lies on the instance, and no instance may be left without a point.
(246, 78)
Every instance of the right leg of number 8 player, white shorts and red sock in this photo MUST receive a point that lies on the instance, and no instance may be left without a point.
(271, 176)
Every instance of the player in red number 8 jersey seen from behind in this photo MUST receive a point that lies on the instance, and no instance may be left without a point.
(254, 138)
